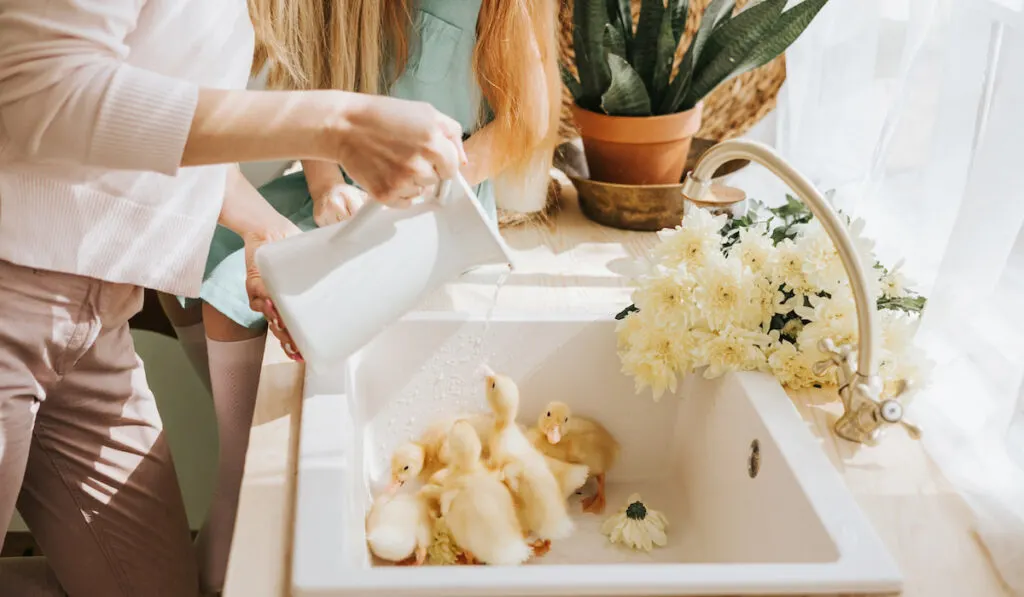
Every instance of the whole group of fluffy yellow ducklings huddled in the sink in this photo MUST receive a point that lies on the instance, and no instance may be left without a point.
(498, 491)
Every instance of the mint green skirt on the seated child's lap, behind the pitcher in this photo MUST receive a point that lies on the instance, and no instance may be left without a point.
(225, 280)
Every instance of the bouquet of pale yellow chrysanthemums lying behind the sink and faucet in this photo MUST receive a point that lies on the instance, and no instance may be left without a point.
(759, 293)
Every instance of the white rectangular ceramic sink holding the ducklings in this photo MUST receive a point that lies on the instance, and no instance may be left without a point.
(785, 526)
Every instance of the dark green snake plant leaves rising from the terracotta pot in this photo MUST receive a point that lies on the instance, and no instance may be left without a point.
(628, 71)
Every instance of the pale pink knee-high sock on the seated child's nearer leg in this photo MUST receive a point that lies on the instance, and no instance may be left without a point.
(235, 377)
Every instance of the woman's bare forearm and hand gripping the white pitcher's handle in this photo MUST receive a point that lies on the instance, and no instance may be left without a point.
(395, 149)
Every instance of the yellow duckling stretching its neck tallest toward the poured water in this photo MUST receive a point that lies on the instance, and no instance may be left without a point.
(542, 501)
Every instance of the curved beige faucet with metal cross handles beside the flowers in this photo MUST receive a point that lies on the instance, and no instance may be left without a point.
(865, 413)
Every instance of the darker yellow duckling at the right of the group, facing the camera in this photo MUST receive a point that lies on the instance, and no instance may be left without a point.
(573, 439)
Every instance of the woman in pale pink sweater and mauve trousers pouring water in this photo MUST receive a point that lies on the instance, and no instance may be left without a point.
(114, 117)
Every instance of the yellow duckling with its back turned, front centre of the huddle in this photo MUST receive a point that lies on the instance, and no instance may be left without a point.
(476, 505)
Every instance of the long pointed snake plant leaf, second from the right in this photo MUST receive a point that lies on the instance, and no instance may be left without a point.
(737, 39)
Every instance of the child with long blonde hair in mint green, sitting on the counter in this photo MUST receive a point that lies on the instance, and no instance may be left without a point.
(490, 65)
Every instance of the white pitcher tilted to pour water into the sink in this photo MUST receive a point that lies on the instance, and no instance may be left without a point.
(338, 287)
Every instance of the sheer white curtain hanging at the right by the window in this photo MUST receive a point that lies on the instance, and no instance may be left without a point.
(914, 111)
